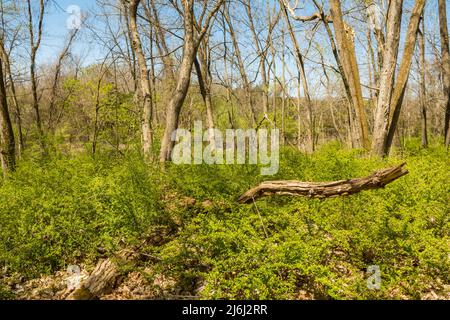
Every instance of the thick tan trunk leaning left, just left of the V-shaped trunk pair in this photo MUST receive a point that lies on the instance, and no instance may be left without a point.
(346, 48)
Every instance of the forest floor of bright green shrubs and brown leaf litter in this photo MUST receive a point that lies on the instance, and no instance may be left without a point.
(75, 211)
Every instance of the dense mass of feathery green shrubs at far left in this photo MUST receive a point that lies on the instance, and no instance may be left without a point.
(60, 212)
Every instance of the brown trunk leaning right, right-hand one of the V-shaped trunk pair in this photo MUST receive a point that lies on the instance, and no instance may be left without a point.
(403, 72)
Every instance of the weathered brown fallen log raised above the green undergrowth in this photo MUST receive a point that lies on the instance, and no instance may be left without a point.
(320, 190)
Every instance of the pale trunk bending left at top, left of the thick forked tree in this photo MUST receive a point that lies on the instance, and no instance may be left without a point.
(144, 81)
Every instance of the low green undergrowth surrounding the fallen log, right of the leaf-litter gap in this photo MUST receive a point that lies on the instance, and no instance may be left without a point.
(294, 248)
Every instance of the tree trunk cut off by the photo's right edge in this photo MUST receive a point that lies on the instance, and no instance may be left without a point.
(445, 52)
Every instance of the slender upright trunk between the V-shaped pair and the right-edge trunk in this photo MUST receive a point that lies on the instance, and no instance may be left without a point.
(423, 94)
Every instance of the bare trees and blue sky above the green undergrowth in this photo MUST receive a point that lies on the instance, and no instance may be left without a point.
(366, 73)
